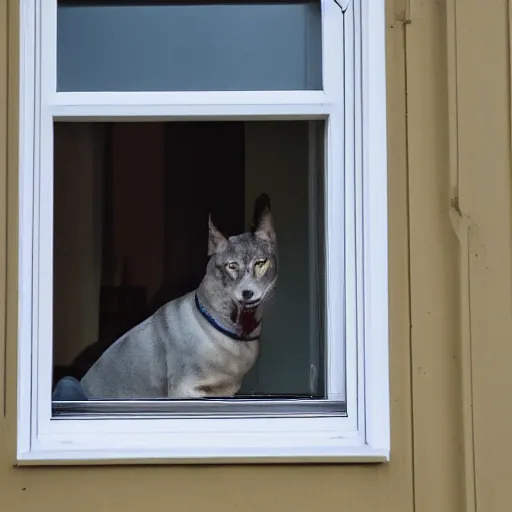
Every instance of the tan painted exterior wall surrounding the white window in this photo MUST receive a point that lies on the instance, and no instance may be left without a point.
(450, 198)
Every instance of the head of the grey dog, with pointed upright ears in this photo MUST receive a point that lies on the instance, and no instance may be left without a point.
(243, 268)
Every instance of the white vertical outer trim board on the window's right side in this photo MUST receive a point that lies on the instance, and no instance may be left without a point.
(375, 262)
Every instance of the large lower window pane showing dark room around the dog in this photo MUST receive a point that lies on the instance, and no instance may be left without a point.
(131, 234)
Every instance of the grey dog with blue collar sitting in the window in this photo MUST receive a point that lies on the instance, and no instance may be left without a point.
(202, 344)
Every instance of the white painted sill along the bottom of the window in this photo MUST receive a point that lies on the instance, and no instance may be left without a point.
(280, 440)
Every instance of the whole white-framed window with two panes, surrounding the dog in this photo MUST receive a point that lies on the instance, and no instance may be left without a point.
(138, 122)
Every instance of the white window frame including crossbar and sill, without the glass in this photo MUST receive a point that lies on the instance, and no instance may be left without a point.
(353, 103)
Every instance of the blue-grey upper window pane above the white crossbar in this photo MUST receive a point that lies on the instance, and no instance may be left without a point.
(170, 46)
